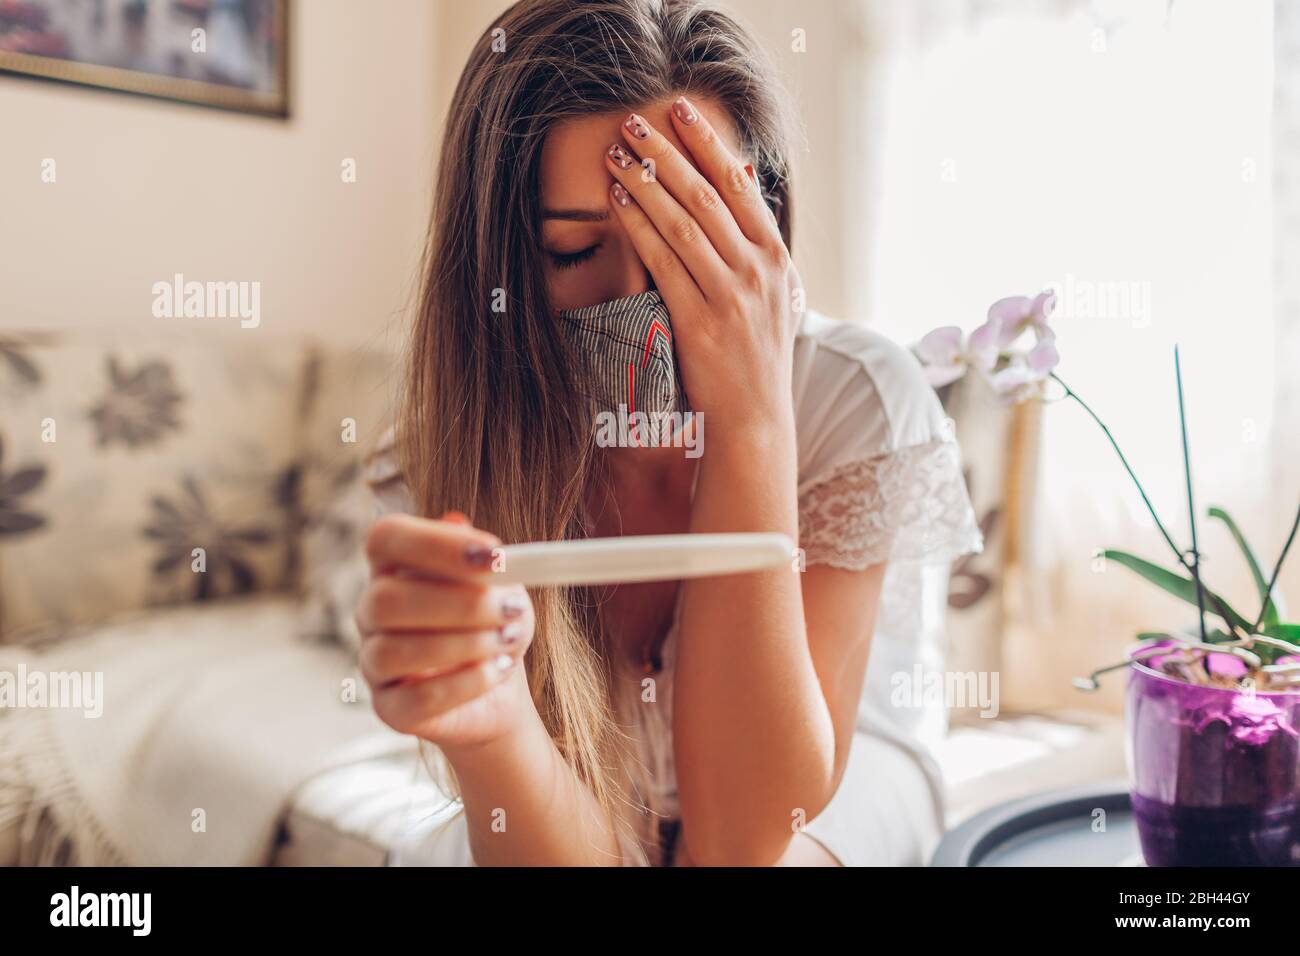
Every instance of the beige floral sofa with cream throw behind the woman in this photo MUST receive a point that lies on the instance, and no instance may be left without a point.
(175, 509)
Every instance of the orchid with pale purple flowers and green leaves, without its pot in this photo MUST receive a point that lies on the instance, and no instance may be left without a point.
(1016, 353)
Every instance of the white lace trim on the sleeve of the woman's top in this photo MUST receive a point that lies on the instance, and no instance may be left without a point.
(904, 507)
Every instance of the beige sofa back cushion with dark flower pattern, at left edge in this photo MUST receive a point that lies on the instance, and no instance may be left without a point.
(141, 471)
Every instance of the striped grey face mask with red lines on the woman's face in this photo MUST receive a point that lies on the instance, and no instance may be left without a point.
(627, 345)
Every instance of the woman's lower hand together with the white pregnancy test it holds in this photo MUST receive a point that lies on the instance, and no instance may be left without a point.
(448, 617)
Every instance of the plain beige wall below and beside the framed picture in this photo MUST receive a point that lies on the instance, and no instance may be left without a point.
(146, 188)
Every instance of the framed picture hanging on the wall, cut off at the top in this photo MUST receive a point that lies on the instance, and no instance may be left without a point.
(227, 54)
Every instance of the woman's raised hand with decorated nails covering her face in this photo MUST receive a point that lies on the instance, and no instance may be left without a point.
(705, 233)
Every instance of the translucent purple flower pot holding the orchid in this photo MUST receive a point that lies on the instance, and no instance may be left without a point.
(1215, 773)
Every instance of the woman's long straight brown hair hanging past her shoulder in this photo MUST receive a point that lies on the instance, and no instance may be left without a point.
(491, 421)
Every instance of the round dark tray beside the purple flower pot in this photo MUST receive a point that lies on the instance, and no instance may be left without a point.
(1054, 829)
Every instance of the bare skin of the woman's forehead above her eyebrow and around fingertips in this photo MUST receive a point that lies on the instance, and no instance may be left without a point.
(574, 175)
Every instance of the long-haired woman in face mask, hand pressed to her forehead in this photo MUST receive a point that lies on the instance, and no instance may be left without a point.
(632, 157)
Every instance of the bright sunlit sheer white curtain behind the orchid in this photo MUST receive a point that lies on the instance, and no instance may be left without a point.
(1121, 153)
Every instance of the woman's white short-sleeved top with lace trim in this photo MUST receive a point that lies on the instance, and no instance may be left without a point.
(879, 481)
